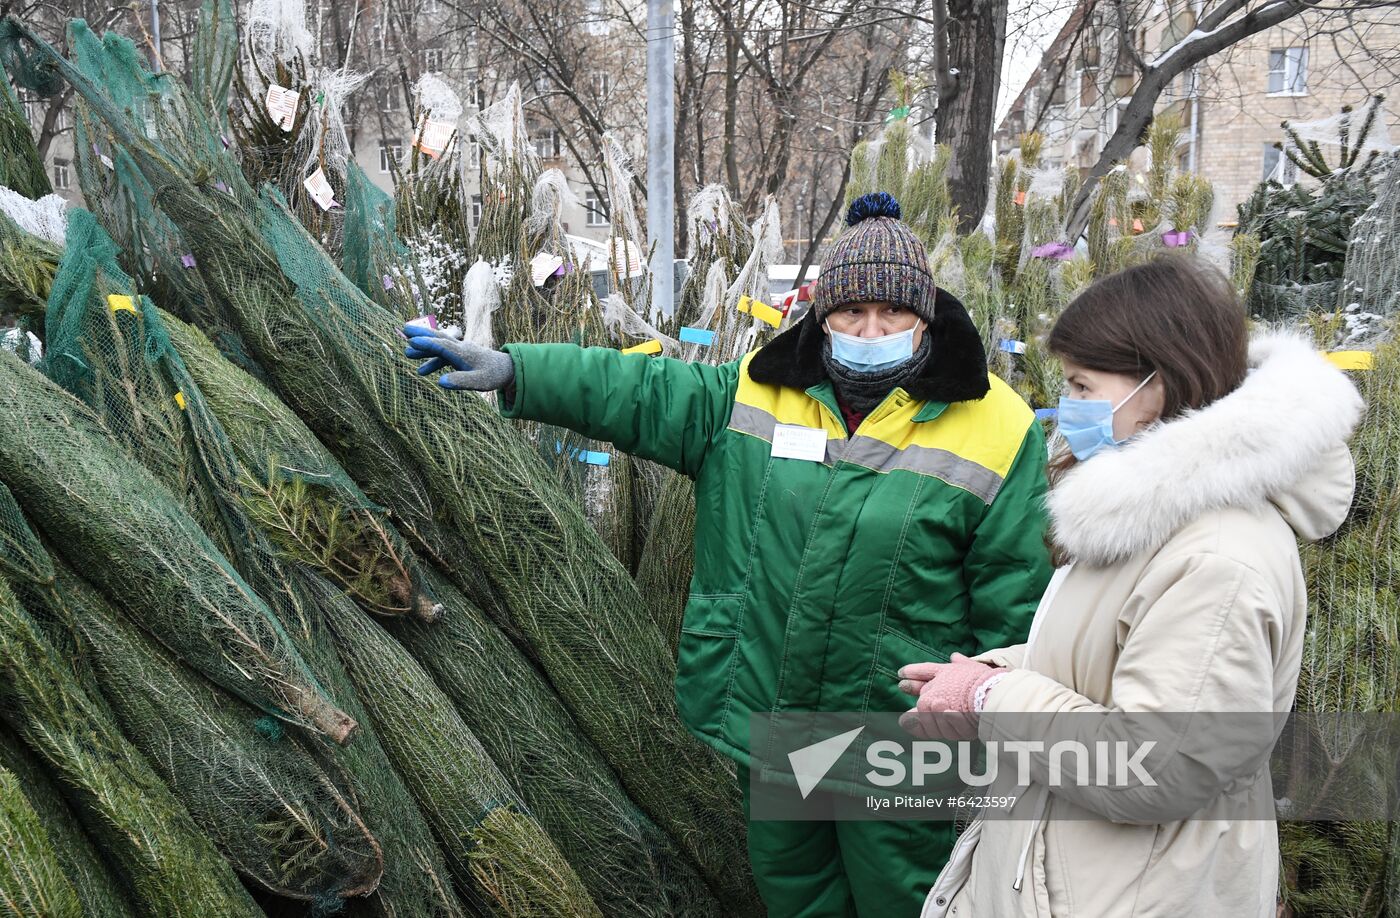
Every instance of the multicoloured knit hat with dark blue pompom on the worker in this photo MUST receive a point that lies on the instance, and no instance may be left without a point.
(878, 260)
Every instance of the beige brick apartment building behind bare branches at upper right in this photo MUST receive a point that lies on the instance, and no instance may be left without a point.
(1233, 106)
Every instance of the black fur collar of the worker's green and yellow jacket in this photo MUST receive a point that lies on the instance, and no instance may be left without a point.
(957, 369)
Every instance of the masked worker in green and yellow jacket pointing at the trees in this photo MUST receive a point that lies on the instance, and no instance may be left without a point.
(867, 496)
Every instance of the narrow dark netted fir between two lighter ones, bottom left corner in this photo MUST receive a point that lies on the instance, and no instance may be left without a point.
(97, 888)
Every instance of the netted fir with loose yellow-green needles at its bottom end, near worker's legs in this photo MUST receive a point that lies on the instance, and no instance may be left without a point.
(495, 847)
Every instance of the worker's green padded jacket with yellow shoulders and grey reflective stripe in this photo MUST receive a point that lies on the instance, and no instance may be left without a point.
(916, 535)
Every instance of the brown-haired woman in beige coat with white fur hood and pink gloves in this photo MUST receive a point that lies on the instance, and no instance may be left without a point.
(1179, 590)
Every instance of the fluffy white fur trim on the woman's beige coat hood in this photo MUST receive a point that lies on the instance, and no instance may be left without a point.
(1279, 439)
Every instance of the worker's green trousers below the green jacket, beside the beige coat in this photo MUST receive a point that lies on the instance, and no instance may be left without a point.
(839, 870)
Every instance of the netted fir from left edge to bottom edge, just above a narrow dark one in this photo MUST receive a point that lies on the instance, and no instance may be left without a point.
(170, 866)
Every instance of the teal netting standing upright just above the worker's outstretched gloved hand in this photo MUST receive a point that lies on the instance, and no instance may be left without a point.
(372, 254)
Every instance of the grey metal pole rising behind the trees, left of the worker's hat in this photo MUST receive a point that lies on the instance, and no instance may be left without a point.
(661, 118)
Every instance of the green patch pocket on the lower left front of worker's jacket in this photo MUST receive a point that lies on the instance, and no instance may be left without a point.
(709, 636)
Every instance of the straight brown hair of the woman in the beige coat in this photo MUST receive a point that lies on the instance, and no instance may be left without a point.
(1172, 316)
